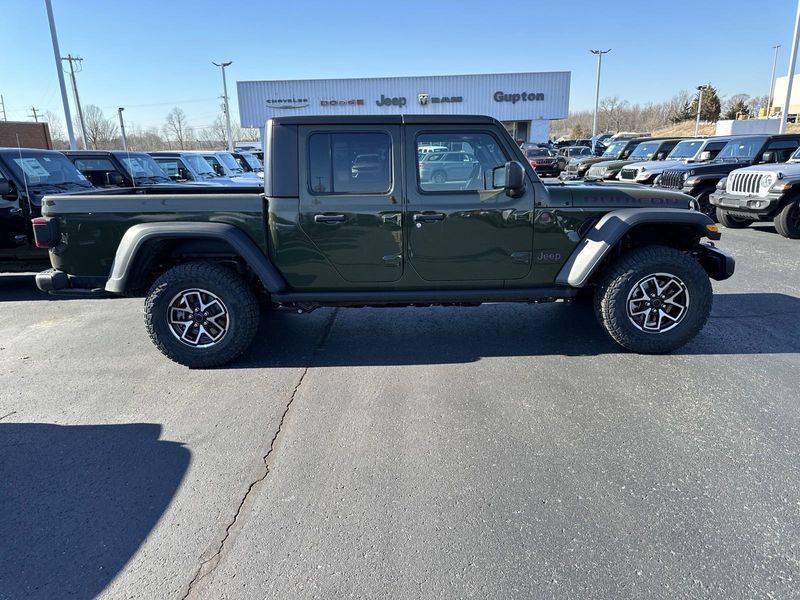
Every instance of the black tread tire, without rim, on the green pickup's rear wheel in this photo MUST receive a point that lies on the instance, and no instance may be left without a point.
(236, 296)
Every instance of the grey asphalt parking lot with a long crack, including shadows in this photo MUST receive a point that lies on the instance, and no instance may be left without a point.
(506, 451)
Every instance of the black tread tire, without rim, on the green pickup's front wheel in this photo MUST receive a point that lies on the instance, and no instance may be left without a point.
(619, 279)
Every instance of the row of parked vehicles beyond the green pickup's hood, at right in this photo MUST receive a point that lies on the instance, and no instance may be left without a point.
(736, 180)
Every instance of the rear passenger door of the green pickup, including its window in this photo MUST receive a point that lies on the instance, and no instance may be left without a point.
(351, 203)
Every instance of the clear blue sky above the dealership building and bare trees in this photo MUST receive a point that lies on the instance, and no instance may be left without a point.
(150, 55)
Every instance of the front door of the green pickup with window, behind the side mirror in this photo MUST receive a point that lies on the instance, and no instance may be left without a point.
(459, 226)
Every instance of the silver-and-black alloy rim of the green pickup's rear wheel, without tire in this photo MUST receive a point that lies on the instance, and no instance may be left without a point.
(198, 318)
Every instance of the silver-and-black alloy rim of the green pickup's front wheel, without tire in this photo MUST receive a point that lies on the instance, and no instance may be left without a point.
(657, 303)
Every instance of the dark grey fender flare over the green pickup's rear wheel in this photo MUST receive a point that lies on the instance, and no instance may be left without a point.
(138, 236)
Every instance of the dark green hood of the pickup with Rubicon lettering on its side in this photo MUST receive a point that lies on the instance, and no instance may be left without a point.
(609, 195)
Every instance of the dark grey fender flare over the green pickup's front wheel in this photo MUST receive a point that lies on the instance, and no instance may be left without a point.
(610, 229)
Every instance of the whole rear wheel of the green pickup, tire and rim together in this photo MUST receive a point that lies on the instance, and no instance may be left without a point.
(201, 314)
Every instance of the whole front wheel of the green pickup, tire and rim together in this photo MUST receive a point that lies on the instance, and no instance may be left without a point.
(653, 299)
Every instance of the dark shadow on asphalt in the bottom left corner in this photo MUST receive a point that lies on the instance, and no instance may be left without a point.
(77, 501)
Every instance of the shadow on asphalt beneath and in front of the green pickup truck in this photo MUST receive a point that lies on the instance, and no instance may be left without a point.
(740, 324)
